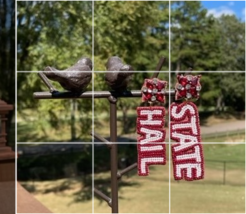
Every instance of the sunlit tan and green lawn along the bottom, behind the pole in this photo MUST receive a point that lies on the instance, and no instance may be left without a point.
(151, 194)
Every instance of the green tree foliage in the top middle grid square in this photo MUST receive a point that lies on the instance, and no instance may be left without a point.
(135, 31)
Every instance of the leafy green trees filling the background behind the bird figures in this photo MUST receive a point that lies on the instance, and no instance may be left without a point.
(59, 33)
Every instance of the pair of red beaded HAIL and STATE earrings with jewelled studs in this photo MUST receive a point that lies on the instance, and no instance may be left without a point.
(187, 152)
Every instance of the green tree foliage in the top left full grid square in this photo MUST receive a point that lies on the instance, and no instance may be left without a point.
(52, 33)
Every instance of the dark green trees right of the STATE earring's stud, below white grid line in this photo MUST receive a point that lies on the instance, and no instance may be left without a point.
(223, 91)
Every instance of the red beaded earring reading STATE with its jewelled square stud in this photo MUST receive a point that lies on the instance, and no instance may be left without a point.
(187, 153)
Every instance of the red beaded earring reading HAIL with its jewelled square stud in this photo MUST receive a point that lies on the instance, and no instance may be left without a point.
(150, 126)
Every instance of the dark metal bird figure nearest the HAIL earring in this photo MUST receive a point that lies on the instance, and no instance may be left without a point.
(119, 74)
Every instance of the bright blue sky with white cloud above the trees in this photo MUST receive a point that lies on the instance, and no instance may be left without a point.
(217, 8)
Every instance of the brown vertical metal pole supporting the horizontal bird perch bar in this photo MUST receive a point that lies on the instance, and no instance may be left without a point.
(113, 153)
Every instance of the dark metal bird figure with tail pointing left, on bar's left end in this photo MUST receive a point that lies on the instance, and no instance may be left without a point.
(74, 79)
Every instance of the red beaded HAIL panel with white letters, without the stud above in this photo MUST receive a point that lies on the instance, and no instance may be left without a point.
(151, 146)
